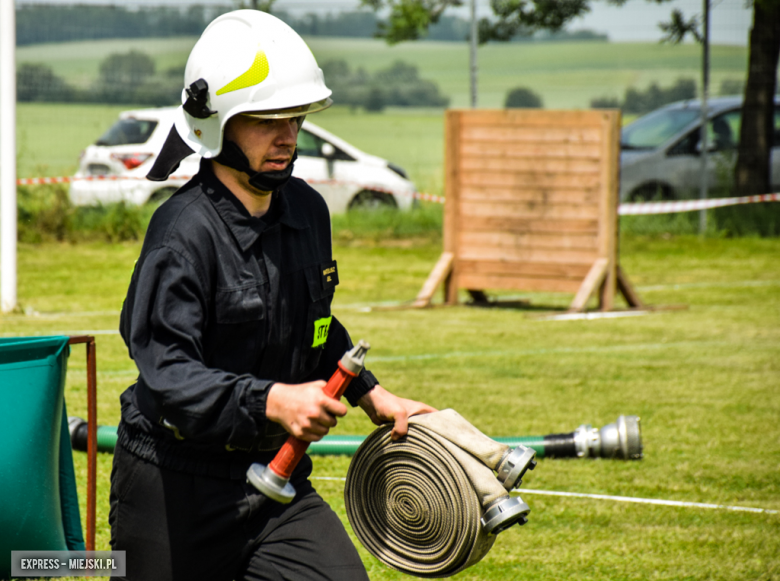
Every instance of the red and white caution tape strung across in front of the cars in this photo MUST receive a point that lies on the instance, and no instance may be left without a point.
(635, 209)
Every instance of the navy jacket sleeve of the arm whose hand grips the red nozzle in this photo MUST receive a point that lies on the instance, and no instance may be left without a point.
(163, 323)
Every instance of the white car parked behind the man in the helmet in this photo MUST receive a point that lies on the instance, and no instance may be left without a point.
(113, 169)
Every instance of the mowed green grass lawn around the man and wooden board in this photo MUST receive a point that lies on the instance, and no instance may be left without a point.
(704, 380)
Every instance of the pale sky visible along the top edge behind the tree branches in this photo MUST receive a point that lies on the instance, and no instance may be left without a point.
(636, 21)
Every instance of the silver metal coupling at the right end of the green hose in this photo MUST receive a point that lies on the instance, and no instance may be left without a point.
(621, 439)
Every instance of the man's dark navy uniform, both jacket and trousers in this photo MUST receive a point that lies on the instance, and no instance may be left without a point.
(221, 306)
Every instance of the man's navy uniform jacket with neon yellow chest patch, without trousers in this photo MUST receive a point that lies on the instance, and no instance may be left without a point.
(222, 305)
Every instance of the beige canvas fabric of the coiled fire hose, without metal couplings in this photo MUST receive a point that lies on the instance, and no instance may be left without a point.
(416, 503)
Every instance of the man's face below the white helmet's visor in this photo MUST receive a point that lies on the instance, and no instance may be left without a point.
(268, 143)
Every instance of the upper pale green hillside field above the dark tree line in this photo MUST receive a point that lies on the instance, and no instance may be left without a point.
(566, 74)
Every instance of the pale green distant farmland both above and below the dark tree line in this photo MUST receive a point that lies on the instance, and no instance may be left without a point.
(566, 74)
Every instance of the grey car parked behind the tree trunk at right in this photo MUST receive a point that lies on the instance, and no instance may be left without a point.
(661, 154)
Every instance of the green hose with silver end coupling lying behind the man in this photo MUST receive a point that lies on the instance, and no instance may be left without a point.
(621, 439)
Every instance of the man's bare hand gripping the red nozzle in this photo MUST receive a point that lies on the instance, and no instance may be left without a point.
(303, 409)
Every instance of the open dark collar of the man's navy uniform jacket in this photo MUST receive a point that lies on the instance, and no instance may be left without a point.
(246, 228)
